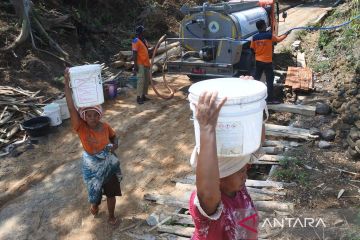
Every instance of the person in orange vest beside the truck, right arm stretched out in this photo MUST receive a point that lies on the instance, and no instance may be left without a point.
(262, 45)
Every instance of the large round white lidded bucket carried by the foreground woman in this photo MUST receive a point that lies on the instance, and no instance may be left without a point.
(239, 127)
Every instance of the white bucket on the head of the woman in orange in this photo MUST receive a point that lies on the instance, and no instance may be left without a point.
(87, 85)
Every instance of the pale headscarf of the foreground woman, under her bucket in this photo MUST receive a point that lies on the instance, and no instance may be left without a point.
(227, 165)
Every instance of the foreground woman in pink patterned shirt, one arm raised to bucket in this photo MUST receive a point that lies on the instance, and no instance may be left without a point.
(221, 206)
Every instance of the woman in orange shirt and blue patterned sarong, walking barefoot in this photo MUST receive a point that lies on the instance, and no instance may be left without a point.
(100, 166)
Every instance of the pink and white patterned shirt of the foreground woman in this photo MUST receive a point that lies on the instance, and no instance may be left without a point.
(236, 218)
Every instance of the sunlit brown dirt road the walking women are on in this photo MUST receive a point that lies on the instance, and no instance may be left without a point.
(42, 194)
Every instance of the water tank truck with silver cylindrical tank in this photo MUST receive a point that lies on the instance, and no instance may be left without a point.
(215, 38)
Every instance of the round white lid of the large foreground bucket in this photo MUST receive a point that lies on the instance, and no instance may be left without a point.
(237, 90)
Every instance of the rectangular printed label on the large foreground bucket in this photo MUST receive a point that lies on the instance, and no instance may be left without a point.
(229, 138)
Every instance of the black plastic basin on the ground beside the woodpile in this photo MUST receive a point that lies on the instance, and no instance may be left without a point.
(37, 127)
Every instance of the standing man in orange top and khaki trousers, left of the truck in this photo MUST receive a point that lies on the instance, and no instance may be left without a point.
(141, 64)
